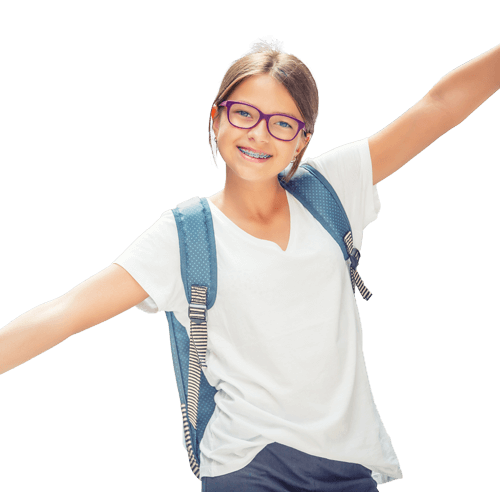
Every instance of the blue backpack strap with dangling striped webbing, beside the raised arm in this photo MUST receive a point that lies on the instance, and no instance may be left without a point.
(317, 195)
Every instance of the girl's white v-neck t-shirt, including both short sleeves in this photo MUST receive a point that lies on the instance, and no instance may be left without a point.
(285, 348)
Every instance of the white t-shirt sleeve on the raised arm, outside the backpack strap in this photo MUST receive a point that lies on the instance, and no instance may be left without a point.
(348, 168)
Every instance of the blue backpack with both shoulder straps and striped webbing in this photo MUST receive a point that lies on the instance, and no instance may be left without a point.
(199, 275)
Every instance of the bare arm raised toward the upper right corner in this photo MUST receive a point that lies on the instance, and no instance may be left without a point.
(450, 101)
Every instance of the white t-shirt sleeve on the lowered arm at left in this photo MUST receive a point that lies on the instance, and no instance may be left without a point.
(153, 260)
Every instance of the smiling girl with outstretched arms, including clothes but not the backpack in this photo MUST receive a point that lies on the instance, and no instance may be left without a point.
(294, 408)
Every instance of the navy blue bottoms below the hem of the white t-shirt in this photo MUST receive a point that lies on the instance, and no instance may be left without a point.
(279, 468)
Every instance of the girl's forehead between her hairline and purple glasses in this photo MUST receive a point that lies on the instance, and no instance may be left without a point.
(267, 94)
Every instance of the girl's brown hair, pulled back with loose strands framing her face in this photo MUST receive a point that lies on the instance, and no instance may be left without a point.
(287, 69)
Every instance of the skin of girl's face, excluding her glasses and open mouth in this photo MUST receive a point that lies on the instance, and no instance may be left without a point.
(265, 93)
